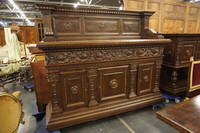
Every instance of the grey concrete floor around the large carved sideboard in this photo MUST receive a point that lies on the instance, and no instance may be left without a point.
(138, 121)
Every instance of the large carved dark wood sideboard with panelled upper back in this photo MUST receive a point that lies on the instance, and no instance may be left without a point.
(100, 63)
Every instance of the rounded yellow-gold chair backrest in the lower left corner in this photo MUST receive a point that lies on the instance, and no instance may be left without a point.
(10, 112)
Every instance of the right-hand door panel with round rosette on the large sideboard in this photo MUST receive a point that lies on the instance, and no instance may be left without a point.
(146, 78)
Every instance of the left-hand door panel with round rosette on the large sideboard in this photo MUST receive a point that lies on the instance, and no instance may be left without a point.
(74, 89)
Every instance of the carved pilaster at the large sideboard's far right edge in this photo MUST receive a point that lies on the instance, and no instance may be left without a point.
(157, 79)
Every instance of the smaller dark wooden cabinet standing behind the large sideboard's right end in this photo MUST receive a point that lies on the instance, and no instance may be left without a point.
(176, 62)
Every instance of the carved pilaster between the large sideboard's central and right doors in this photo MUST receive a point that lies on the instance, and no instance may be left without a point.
(133, 73)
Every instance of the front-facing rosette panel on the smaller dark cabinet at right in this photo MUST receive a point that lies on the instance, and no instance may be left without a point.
(187, 52)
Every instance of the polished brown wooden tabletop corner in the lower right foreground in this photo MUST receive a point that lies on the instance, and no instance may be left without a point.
(185, 116)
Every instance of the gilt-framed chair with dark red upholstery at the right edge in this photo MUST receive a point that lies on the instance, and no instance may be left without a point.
(194, 79)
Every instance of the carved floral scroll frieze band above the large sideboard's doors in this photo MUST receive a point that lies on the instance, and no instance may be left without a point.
(101, 55)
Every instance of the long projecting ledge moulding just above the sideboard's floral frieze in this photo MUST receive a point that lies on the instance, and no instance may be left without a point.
(96, 44)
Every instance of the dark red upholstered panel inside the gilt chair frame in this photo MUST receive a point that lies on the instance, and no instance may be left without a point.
(196, 75)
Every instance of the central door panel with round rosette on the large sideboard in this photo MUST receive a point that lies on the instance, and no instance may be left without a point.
(113, 83)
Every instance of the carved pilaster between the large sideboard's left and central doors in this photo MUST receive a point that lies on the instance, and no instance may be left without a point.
(92, 74)
